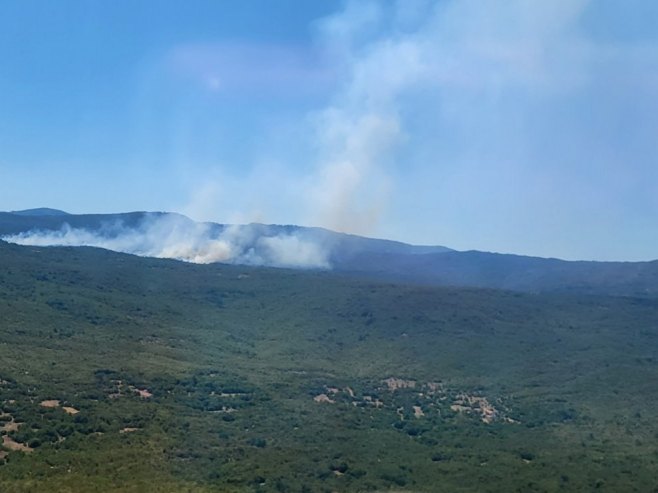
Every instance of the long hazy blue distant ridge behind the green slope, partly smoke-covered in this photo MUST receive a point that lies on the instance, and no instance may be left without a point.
(172, 235)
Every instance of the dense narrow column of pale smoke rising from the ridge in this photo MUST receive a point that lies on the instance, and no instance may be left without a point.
(358, 134)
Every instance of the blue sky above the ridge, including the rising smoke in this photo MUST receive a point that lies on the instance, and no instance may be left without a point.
(514, 125)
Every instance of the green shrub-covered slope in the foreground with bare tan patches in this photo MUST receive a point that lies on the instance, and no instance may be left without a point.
(133, 374)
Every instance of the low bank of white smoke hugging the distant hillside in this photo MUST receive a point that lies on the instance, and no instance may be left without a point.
(177, 237)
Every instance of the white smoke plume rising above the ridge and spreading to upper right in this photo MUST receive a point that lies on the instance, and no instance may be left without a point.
(410, 66)
